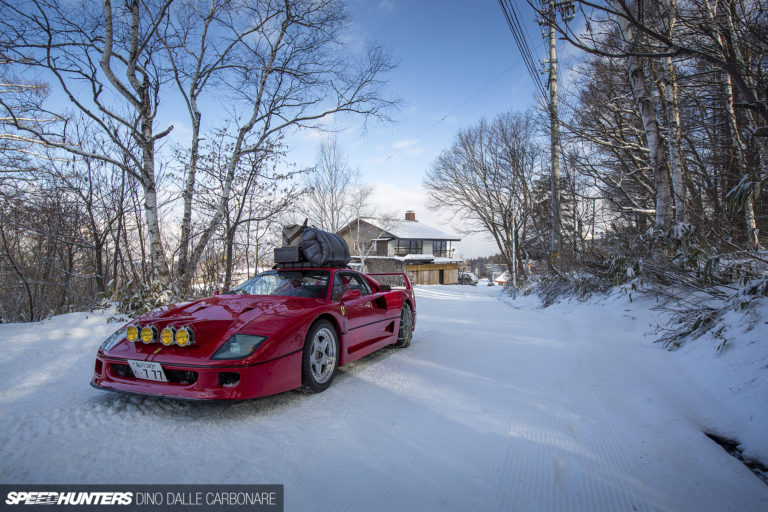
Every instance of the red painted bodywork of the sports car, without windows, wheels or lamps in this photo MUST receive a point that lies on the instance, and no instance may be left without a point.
(363, 325)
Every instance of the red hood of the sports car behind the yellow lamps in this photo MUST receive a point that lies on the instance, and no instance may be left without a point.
(213, 320)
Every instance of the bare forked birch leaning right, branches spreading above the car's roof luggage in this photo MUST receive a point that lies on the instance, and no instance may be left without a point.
(284, 66)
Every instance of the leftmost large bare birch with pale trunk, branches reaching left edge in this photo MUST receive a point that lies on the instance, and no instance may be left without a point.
(104, 60)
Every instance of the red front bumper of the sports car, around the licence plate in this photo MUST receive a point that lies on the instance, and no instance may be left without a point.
(201, 382)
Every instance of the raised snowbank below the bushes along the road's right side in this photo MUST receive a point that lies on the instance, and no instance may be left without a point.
(730, 364)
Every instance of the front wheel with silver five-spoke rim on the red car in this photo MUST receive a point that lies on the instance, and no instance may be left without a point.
(320, 358)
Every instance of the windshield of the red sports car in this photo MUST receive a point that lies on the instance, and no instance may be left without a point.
(289, 283)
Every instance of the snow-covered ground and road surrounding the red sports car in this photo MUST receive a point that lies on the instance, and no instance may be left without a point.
(497, 405)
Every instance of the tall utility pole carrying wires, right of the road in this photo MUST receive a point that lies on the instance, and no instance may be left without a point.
(547, 21)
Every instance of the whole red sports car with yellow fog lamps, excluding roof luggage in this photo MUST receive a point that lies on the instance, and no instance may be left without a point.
(283, 329)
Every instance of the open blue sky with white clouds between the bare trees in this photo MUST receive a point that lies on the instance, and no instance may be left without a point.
(458, 63)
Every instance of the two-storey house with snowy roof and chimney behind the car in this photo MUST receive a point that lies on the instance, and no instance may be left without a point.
(404, 245)
